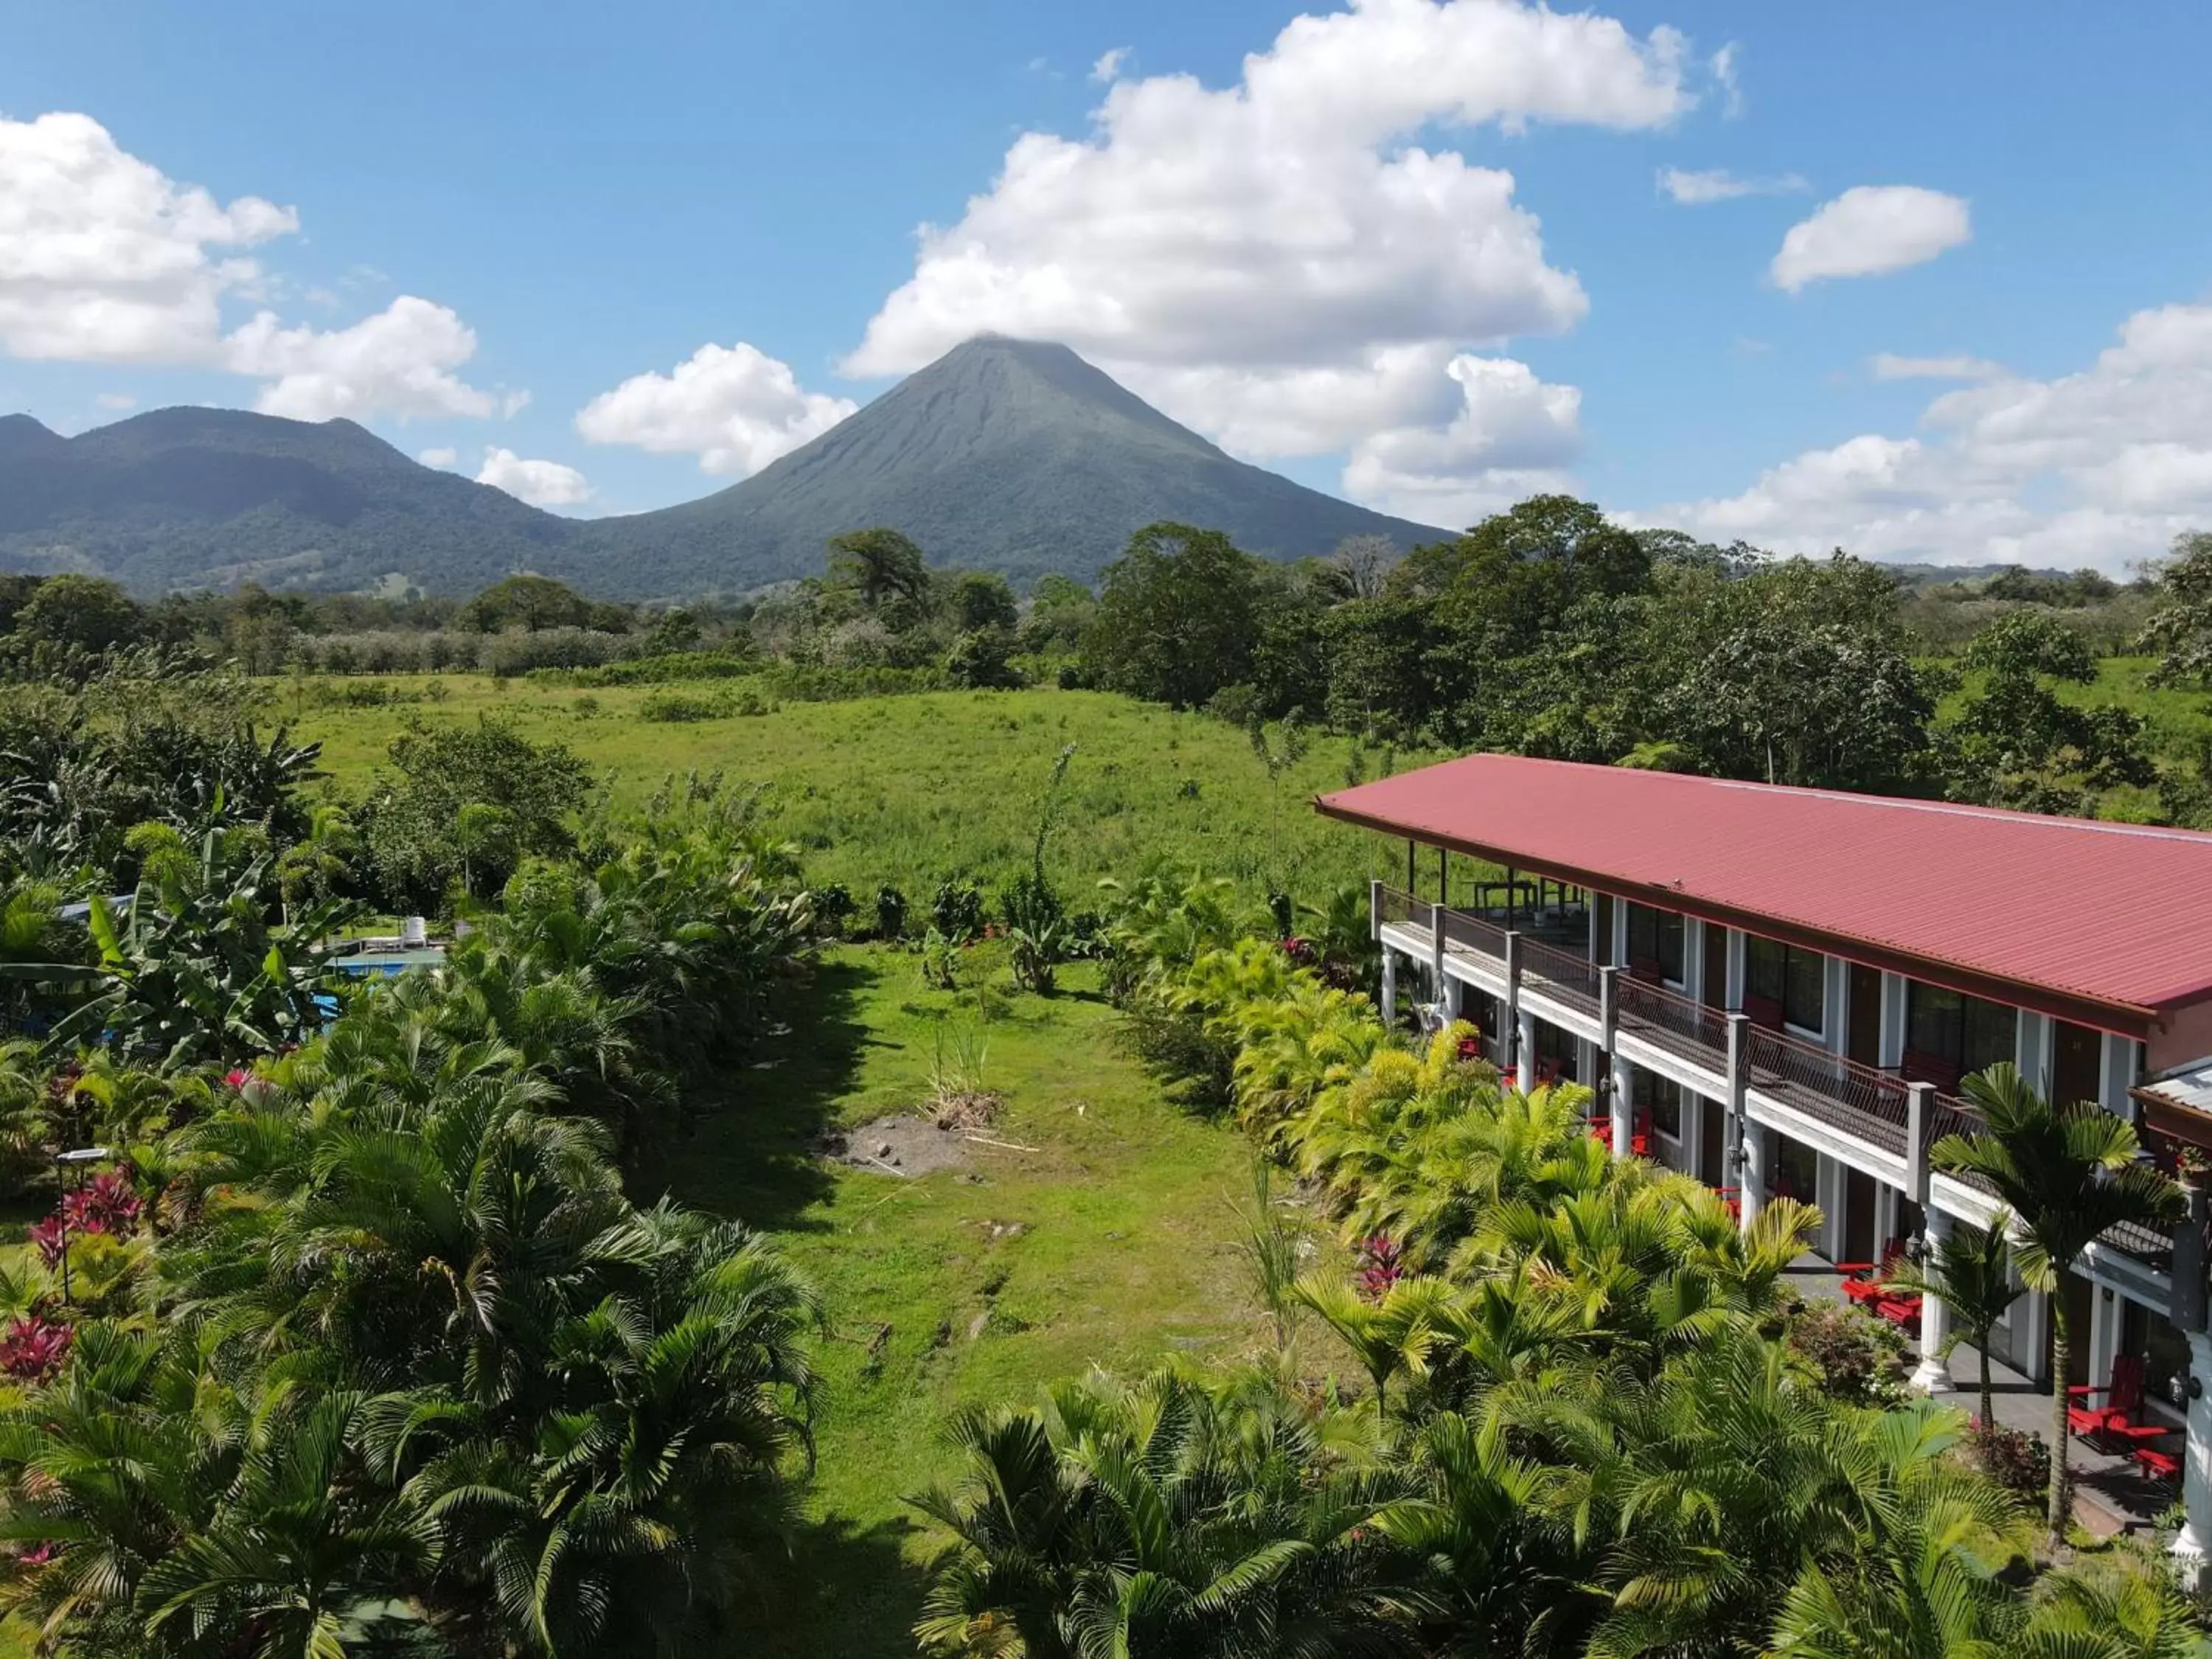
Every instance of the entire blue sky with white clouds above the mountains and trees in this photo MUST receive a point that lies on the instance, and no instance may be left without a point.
(1919, 282)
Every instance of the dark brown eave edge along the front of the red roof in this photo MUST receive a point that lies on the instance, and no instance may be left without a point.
(2122, 1019)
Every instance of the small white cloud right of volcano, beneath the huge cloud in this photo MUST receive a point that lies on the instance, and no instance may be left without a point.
(1510, 439)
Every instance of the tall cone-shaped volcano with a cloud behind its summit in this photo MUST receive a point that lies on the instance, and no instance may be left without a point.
(1008, 457)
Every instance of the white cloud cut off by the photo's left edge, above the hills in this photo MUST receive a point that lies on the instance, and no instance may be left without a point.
(103, 260)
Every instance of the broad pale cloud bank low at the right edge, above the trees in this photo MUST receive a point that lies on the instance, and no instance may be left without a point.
(2096, 468)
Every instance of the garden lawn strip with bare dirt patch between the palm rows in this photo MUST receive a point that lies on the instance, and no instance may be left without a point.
(1112, 1244)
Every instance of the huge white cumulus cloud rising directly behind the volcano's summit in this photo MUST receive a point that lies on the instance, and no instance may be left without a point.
(1291, 264)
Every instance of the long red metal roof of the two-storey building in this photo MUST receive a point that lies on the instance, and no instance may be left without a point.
(2107, 915)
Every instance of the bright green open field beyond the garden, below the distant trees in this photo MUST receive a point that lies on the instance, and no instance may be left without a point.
(917, 789)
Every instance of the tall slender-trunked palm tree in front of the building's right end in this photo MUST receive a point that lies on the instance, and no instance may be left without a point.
(2069, 1176)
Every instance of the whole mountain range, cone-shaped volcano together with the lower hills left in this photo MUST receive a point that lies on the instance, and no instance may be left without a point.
(1003, 455)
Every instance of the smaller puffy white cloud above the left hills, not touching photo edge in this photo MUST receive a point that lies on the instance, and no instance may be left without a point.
(397, 362)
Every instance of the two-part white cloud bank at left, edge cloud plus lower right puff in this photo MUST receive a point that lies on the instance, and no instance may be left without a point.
(107, 260)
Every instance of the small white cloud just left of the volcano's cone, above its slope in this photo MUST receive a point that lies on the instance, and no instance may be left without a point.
(731, 406)
